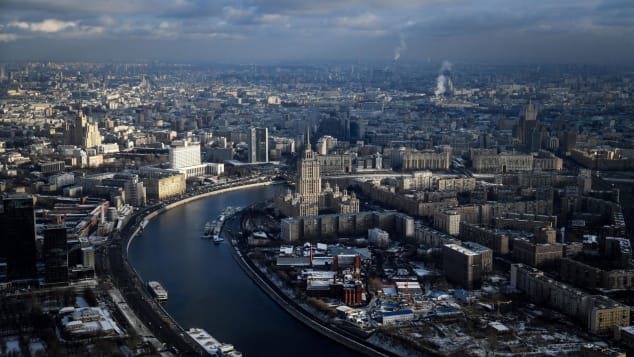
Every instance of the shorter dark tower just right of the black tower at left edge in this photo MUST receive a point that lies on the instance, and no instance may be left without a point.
(55, 253)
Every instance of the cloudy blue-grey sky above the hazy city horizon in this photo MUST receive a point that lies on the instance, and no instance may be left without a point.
(253, 31)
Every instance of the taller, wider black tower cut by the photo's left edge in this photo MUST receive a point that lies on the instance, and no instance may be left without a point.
(17, 241)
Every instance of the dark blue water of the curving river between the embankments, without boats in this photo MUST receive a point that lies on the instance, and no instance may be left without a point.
(208, 289)
